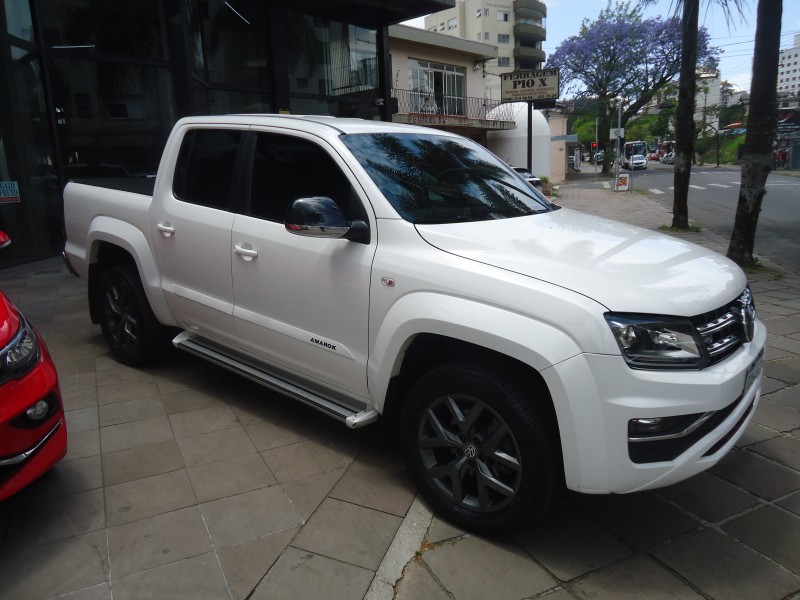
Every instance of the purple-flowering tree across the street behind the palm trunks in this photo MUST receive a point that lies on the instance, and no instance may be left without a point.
(623, 57)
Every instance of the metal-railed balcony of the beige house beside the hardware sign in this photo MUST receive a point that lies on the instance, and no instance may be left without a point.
(457, 113)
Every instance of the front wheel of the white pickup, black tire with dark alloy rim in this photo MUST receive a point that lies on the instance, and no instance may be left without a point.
(482, 447)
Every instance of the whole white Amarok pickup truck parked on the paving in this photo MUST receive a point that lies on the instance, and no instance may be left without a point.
(373, 270)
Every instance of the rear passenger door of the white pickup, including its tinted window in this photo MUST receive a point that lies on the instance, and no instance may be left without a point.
(192, 224)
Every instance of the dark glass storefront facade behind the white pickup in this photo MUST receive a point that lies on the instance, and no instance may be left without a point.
(92, 88)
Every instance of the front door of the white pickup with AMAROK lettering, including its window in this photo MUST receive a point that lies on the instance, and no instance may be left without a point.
(302, 303)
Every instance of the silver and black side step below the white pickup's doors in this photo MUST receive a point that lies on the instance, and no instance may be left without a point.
(223, 357)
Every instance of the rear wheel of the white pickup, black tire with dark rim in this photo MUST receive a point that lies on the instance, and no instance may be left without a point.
(132, 331)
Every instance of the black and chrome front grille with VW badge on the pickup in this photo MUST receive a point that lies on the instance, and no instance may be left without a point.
(724, 330)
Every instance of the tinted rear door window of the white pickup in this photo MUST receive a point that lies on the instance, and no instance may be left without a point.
(204, 171)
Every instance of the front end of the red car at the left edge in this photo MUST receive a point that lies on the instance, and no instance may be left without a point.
(33, 431)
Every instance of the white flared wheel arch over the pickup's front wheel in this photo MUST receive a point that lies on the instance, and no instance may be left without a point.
(535, 343)
